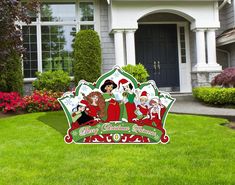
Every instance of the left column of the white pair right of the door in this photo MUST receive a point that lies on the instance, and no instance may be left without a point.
(201, 50)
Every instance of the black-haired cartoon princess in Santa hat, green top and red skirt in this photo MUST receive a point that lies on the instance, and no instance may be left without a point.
(130, 96)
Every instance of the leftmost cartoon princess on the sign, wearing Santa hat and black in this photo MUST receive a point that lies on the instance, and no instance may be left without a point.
(80, 114)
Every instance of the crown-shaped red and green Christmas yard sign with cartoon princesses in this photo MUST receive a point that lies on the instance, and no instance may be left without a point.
(116, 109)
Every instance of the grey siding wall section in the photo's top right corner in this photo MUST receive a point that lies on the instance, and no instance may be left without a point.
(227, 18)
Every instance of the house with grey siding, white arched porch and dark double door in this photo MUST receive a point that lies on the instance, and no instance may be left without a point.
(174, 39)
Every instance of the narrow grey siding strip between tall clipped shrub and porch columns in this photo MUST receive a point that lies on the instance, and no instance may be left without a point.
(107, 40)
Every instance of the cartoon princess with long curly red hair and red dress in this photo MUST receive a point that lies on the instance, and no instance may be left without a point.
(96, 105)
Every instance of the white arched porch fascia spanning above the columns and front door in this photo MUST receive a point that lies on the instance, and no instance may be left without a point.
(200, 14)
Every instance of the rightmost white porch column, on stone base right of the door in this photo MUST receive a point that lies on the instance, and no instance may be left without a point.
(211, 49)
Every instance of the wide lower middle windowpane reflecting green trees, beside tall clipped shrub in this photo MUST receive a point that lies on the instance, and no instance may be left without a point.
(56, 47)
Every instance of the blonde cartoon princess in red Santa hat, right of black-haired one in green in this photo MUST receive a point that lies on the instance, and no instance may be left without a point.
(143, 108)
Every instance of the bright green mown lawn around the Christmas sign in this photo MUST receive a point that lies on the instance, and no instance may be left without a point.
(32, 151)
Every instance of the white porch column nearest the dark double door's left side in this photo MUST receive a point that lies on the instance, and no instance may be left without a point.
(130, 47)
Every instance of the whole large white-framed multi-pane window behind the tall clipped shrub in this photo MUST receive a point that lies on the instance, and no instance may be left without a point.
(48, 39)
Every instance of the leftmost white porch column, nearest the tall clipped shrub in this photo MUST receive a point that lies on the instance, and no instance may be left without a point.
(119, 47)
